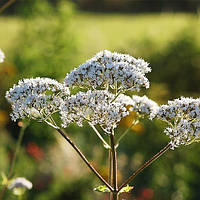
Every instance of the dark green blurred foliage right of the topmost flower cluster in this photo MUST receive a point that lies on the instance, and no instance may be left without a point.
(178, 65)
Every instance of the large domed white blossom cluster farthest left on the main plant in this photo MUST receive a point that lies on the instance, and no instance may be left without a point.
(35, 98)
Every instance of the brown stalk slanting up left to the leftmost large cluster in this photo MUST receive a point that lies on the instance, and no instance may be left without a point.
(84, 158)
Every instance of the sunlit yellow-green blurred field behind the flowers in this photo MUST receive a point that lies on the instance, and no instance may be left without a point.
(113, 31)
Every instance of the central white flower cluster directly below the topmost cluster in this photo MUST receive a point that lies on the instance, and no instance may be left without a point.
(95, 107)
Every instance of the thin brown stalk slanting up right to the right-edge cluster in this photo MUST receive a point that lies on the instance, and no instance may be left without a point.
(146, 164)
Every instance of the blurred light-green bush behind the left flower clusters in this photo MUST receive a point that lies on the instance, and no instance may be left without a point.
(46, 45)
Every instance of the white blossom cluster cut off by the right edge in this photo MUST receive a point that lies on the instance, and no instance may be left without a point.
(183, 116)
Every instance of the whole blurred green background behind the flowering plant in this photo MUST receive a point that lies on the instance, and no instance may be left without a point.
(48, 39)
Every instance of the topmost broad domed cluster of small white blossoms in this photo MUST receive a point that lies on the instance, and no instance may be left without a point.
(106, 69)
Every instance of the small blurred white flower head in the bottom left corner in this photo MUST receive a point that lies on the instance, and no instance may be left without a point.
(20, 182)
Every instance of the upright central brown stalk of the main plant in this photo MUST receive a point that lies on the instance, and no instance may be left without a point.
(114, 165)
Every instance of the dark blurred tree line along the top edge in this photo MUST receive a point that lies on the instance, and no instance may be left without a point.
(132, 6)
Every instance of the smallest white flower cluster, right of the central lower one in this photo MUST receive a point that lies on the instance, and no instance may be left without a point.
(144, 106)
